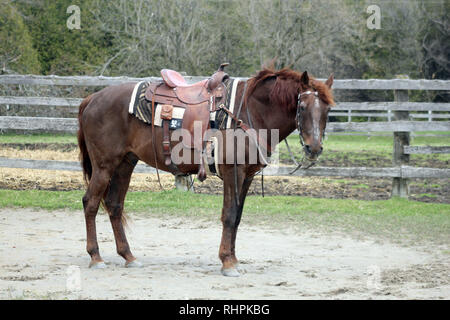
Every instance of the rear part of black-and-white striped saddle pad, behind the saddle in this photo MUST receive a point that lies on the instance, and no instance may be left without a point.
(141, 108)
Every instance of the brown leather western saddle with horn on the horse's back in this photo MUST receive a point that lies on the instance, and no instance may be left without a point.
(198, 99)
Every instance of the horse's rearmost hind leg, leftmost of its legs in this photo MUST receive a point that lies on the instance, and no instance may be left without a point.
(91, 201)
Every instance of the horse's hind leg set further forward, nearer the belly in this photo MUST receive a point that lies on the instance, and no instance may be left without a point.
(114, 199)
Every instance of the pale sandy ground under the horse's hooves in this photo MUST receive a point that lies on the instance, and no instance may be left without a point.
(42, 252)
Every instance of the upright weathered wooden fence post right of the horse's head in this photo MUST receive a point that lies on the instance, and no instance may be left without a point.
(400, 186)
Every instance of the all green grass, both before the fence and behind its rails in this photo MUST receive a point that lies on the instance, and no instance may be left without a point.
(396, 218)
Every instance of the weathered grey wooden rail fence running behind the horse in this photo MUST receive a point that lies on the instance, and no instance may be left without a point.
(402, 119)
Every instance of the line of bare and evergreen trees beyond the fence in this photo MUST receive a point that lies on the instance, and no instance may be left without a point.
(140, 37)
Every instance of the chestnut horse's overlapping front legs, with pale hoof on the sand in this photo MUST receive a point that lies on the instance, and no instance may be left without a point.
(231, 216)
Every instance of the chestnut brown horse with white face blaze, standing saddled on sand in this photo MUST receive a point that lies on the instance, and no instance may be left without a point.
(111, 142)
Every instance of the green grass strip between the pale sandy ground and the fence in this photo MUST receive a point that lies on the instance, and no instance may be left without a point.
(396, 219)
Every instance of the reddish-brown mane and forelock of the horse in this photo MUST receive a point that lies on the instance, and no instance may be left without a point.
(287, 85)
